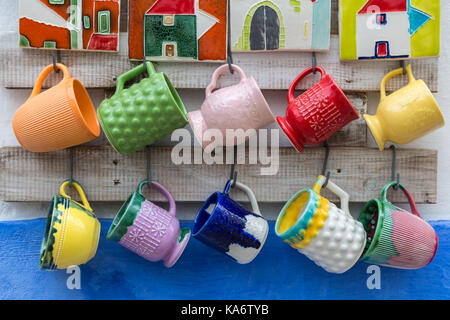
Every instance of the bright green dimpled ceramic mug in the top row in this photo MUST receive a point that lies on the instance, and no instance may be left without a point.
(138, 116)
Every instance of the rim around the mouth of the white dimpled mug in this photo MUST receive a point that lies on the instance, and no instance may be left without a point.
(299, 224)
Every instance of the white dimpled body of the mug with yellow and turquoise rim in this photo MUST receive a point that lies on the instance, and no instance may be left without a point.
(339, 244)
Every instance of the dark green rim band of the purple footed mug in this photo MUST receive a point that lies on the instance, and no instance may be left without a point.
(124, 219)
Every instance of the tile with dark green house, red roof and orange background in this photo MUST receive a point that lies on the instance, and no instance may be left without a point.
(178, 30)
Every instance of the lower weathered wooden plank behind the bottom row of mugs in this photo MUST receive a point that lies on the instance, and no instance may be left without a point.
(109, 176)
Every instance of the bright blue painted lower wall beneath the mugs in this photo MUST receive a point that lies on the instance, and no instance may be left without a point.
(279, 272)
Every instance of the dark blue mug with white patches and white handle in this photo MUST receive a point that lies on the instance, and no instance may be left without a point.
(227, 227)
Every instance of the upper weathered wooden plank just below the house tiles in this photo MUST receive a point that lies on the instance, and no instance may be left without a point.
(19, 68)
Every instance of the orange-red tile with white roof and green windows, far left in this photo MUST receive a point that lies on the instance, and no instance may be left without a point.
(70, 24)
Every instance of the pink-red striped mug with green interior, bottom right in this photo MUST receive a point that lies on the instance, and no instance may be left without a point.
(395, 237)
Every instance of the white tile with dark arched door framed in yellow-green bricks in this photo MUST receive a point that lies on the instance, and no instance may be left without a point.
(297, 25)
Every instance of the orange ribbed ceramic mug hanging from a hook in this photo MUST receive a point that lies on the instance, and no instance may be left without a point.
(60, 117)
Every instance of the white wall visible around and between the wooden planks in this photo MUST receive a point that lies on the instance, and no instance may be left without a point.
(11, 99)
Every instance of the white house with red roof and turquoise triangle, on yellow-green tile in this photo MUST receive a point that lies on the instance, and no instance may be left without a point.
(384, 29)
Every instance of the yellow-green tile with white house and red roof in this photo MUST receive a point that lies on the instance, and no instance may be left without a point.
(389, 29)
